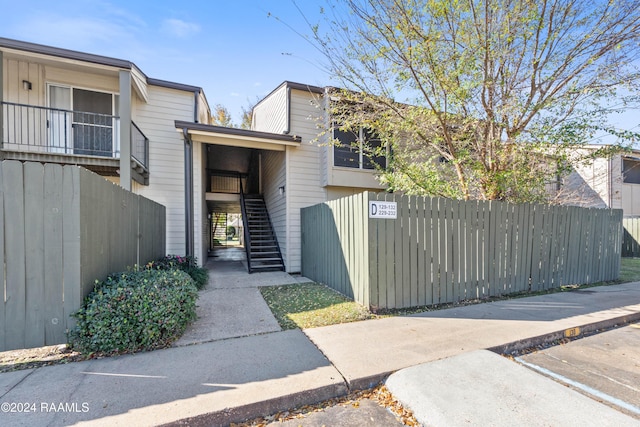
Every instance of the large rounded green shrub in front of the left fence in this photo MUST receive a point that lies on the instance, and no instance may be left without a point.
(134, 311)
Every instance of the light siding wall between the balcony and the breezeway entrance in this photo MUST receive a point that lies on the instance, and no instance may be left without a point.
(166, 156)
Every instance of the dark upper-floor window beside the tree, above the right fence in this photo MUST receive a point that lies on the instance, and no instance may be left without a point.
(350, 153)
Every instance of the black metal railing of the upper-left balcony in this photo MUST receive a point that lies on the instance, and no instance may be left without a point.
(52, 130)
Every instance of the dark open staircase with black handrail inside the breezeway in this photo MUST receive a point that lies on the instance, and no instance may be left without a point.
(263, 252)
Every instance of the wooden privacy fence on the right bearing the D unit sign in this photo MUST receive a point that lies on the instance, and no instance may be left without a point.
(441, 251)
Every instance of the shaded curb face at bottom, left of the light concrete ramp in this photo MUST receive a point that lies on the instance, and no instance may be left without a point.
(262, 408)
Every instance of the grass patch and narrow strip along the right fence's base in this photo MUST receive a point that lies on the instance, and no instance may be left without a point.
(312, 305)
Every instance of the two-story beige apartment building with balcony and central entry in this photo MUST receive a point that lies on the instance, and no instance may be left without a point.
(153, 137)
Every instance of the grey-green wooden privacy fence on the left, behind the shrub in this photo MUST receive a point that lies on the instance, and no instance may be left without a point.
(63, 227)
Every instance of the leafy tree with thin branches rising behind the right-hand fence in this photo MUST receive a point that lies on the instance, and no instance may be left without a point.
(484, 99)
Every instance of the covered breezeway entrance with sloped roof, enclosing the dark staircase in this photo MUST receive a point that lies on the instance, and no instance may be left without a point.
(227, 175)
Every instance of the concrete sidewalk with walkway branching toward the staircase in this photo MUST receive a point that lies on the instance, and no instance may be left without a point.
(216, 378)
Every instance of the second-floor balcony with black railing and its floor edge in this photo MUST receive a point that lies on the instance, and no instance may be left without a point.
(87, 139)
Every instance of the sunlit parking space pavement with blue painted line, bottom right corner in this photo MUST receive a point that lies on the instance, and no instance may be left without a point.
(605, 367)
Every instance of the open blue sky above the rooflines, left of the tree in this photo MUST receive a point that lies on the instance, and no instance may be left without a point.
(236, 50)
